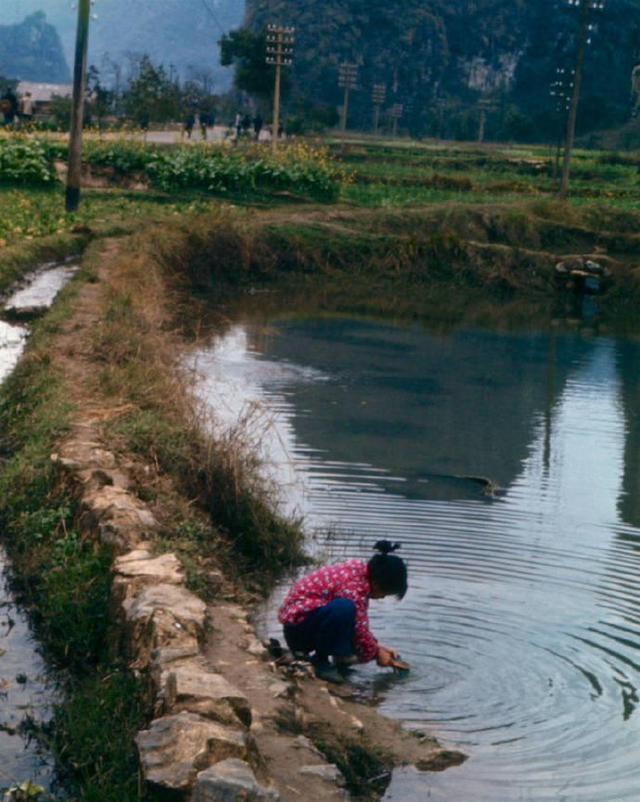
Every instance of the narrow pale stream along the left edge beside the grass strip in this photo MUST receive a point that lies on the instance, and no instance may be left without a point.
(26, 693)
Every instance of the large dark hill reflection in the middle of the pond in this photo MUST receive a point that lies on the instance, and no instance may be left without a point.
(419, 405)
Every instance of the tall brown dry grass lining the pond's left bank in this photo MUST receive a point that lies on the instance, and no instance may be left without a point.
(138, 347)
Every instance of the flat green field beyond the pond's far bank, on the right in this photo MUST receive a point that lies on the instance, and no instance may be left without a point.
(396, 173)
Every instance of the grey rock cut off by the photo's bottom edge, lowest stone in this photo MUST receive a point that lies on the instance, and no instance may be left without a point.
(231, 781)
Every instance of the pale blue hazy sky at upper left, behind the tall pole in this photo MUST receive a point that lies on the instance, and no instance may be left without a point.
(178, 32)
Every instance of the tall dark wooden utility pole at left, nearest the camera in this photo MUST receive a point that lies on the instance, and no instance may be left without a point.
(74, 169)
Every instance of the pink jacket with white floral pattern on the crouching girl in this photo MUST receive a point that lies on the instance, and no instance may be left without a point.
(348, 580)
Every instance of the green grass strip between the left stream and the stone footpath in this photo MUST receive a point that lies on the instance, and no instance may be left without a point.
(63, 579)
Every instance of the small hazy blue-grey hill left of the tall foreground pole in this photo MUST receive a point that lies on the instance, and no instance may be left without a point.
(31, 51)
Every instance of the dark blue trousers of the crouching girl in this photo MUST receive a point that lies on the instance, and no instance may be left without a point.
(328, 630)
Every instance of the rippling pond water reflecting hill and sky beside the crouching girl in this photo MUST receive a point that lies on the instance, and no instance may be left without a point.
(522, 622)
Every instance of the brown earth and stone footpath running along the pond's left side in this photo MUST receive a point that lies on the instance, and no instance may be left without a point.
(225, 718)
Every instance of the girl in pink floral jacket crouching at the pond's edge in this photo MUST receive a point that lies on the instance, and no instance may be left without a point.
(325, 615)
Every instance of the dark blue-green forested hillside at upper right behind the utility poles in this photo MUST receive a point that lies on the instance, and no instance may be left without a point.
(439, 57)
